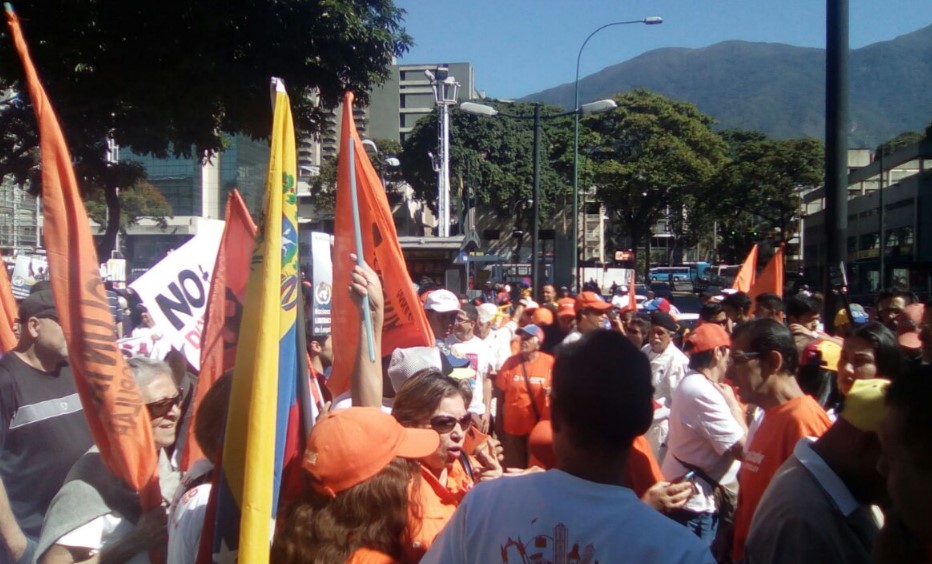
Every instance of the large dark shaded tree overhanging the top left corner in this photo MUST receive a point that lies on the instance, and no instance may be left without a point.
(171, 77)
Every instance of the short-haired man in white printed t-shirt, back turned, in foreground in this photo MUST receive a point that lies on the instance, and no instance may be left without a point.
(580, 511)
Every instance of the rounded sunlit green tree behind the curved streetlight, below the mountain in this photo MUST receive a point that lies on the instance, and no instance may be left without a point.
(651, 155)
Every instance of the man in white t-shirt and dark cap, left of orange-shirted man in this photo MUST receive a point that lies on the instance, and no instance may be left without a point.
(463, 342)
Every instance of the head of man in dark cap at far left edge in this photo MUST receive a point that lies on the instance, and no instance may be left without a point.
(40, 330)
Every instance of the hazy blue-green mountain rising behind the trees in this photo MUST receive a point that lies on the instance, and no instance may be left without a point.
(779, 89)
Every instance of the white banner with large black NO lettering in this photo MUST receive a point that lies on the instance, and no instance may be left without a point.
(175, 290)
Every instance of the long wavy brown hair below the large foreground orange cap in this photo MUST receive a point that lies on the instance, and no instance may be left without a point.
(373, 514)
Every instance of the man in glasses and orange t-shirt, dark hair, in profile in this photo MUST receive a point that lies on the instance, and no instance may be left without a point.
(763, 363)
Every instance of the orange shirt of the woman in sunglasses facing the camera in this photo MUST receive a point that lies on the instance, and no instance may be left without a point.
(437, 502)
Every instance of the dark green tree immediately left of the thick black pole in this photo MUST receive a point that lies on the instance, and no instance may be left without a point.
(763, 183)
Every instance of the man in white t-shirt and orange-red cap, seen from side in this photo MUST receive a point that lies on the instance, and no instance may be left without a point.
(706, 429)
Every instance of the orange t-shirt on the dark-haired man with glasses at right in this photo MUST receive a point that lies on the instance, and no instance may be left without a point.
(773, 443)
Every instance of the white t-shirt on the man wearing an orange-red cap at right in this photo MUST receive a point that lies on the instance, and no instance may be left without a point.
(702, 428)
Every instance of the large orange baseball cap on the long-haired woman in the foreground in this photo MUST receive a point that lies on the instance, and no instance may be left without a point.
(349, 446)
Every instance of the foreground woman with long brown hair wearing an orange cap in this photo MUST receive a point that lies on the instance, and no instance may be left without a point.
(362, 468)
